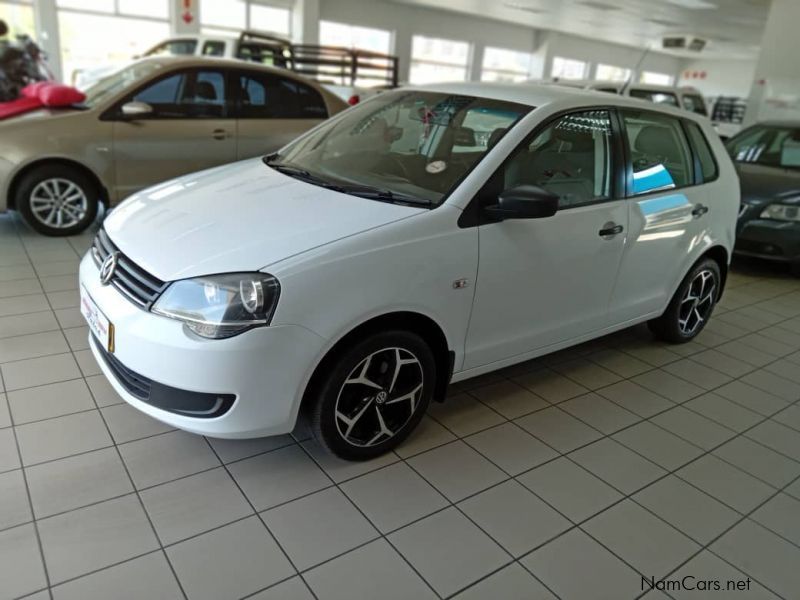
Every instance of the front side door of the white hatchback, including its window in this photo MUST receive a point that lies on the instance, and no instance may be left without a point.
(546, 281)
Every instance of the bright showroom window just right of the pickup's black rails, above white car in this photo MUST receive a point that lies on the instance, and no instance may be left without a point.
(434, 59)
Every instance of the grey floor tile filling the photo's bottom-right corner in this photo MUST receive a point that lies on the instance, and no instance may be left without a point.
(762, 555)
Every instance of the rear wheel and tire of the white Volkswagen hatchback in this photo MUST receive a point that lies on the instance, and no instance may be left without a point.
(691, 306)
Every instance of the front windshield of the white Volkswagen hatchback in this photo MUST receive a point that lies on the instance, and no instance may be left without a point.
(408, 143)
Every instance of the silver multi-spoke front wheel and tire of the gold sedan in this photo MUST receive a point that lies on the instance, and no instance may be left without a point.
(57, 200)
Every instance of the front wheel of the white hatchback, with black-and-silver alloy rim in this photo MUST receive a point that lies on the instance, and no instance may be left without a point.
(364, 377)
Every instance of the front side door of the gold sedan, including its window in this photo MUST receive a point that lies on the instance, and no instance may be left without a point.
(188, 129)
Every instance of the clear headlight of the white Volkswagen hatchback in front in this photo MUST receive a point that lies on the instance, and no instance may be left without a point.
(221, 306)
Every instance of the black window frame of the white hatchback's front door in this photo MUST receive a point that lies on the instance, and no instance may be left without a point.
(473, 216)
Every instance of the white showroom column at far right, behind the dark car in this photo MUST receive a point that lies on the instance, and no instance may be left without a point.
(775, 92)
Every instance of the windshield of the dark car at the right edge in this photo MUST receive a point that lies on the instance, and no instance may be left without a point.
(773, 146)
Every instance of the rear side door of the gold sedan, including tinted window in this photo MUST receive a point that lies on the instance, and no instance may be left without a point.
(273, 110)
